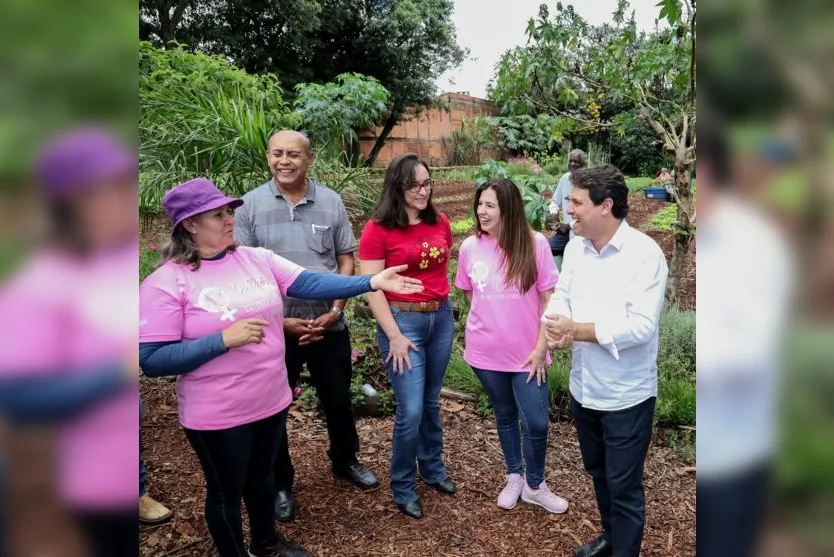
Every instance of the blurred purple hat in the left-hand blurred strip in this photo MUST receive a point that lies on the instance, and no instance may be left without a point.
(81, 159)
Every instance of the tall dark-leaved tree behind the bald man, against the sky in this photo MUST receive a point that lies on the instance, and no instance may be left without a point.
(405, 44)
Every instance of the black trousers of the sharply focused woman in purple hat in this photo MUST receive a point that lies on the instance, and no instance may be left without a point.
(237, 463)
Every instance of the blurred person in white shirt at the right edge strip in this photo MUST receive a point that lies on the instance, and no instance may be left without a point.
(745, 277)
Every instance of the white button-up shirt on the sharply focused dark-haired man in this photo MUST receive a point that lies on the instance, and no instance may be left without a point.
(621, 290)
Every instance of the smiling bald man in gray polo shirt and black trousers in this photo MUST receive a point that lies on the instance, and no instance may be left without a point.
(302, 220)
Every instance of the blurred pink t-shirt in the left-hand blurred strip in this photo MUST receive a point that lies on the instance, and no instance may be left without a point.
(76, 316)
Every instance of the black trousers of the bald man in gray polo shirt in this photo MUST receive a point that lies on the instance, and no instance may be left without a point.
(331, 369)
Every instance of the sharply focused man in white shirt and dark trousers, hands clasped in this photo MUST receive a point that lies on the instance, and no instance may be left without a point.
(607, 306)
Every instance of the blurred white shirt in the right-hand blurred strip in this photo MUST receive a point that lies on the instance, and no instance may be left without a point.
(745, 286)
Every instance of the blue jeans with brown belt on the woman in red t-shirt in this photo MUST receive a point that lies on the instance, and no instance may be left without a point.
(418, 433)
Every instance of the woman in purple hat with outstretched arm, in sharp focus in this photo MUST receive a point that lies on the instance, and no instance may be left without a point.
(212, 314)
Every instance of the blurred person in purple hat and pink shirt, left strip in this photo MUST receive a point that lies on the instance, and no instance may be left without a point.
(71, 357)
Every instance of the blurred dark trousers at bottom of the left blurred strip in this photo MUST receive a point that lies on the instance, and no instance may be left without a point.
(112, 534)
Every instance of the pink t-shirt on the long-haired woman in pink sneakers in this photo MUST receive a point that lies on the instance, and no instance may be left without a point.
(503, 325)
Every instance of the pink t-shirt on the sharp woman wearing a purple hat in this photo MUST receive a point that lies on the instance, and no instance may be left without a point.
(246, 383)
